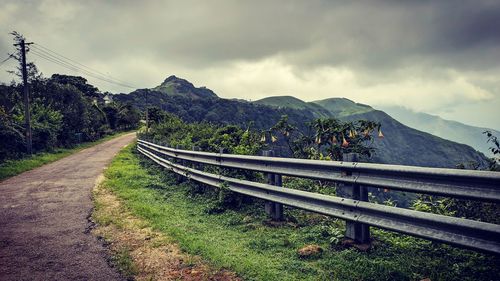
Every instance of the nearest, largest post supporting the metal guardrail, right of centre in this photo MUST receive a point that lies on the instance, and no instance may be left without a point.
(356, 231)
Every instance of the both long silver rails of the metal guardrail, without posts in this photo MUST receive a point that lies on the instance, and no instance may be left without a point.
(462, 232)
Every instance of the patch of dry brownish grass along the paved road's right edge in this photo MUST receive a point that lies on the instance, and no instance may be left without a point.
(141, 253)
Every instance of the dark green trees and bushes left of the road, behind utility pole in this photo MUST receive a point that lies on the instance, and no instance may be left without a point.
(65, 110)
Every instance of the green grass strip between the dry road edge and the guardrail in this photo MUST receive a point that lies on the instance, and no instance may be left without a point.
(245, 242)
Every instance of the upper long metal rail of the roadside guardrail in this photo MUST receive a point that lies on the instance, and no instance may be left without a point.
(467, 184)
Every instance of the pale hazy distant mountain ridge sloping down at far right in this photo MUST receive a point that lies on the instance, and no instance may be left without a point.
(443, 128)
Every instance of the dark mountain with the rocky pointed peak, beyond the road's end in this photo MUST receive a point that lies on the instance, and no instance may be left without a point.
(194, 104)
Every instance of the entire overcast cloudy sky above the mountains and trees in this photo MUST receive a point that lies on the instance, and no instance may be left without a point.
(438, 57)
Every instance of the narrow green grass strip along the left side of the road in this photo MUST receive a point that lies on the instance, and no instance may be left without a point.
(15, 167)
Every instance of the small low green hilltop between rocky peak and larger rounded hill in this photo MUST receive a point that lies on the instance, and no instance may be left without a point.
(295, 103)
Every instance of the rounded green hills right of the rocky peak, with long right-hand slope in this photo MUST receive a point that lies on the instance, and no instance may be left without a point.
(402, 144)
